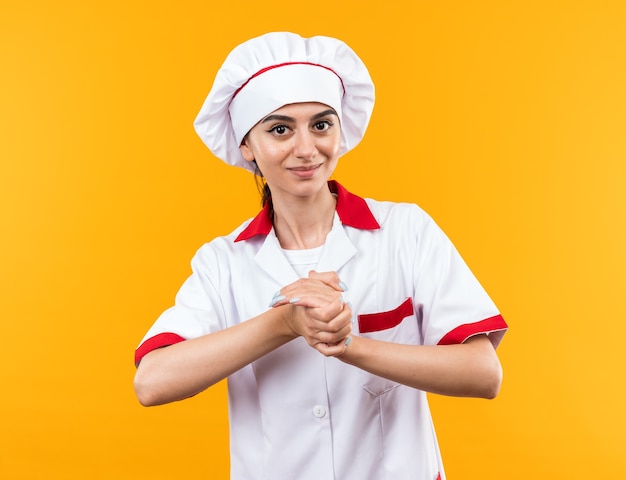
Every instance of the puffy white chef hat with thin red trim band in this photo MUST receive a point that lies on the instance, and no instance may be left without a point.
(280, 68)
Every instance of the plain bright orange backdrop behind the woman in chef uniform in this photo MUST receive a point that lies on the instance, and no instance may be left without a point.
(504, 120)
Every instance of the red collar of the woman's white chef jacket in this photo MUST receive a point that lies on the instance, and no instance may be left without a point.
(352, 210)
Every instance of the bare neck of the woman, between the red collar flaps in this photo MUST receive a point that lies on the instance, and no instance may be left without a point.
(304, 222)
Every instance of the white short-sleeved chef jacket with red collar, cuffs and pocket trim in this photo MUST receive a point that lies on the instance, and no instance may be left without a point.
(298, 415)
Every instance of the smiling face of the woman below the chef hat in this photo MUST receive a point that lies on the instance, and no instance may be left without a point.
(296, 148)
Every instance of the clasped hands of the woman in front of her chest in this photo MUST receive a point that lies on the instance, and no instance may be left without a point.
(315, 309)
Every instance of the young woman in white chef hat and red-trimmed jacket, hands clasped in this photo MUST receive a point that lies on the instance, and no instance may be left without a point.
(331, 315)
